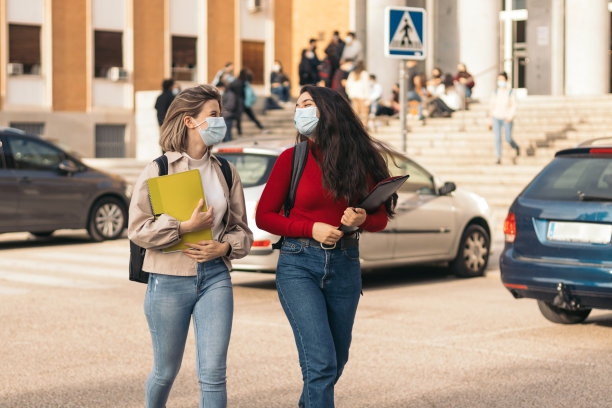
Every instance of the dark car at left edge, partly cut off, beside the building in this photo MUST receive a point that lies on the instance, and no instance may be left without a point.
(46, 188)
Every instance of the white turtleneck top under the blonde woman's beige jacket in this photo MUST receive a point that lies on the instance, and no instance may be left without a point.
(213, 190)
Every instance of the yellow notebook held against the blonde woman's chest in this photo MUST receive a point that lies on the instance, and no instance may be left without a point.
(178, 195)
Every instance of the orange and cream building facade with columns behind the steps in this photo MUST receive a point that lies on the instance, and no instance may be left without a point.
(87, 72)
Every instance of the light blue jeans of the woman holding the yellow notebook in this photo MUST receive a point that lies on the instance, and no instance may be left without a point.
(170, 302)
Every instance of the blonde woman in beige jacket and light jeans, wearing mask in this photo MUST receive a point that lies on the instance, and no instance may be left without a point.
(195, 282)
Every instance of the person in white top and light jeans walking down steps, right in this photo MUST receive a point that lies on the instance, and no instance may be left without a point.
(503, 109)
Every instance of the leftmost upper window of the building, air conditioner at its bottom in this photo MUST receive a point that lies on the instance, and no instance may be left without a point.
(24, 49)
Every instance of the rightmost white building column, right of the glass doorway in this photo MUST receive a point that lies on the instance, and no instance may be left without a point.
(587, 33)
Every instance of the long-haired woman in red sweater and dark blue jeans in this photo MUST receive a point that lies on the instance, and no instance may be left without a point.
(318, 277)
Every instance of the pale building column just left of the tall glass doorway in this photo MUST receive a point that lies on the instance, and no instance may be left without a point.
(478, 29)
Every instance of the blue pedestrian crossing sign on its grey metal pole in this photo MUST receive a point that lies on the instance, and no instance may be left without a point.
(404, 40)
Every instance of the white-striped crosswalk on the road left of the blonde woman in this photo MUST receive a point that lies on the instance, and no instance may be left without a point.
(86, 265)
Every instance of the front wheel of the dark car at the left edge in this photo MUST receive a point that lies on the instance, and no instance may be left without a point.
(106, 219)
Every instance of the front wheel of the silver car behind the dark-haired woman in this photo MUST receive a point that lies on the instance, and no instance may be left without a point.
(473, 253)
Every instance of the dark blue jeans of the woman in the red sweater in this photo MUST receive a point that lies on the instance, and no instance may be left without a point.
(319, 291)
